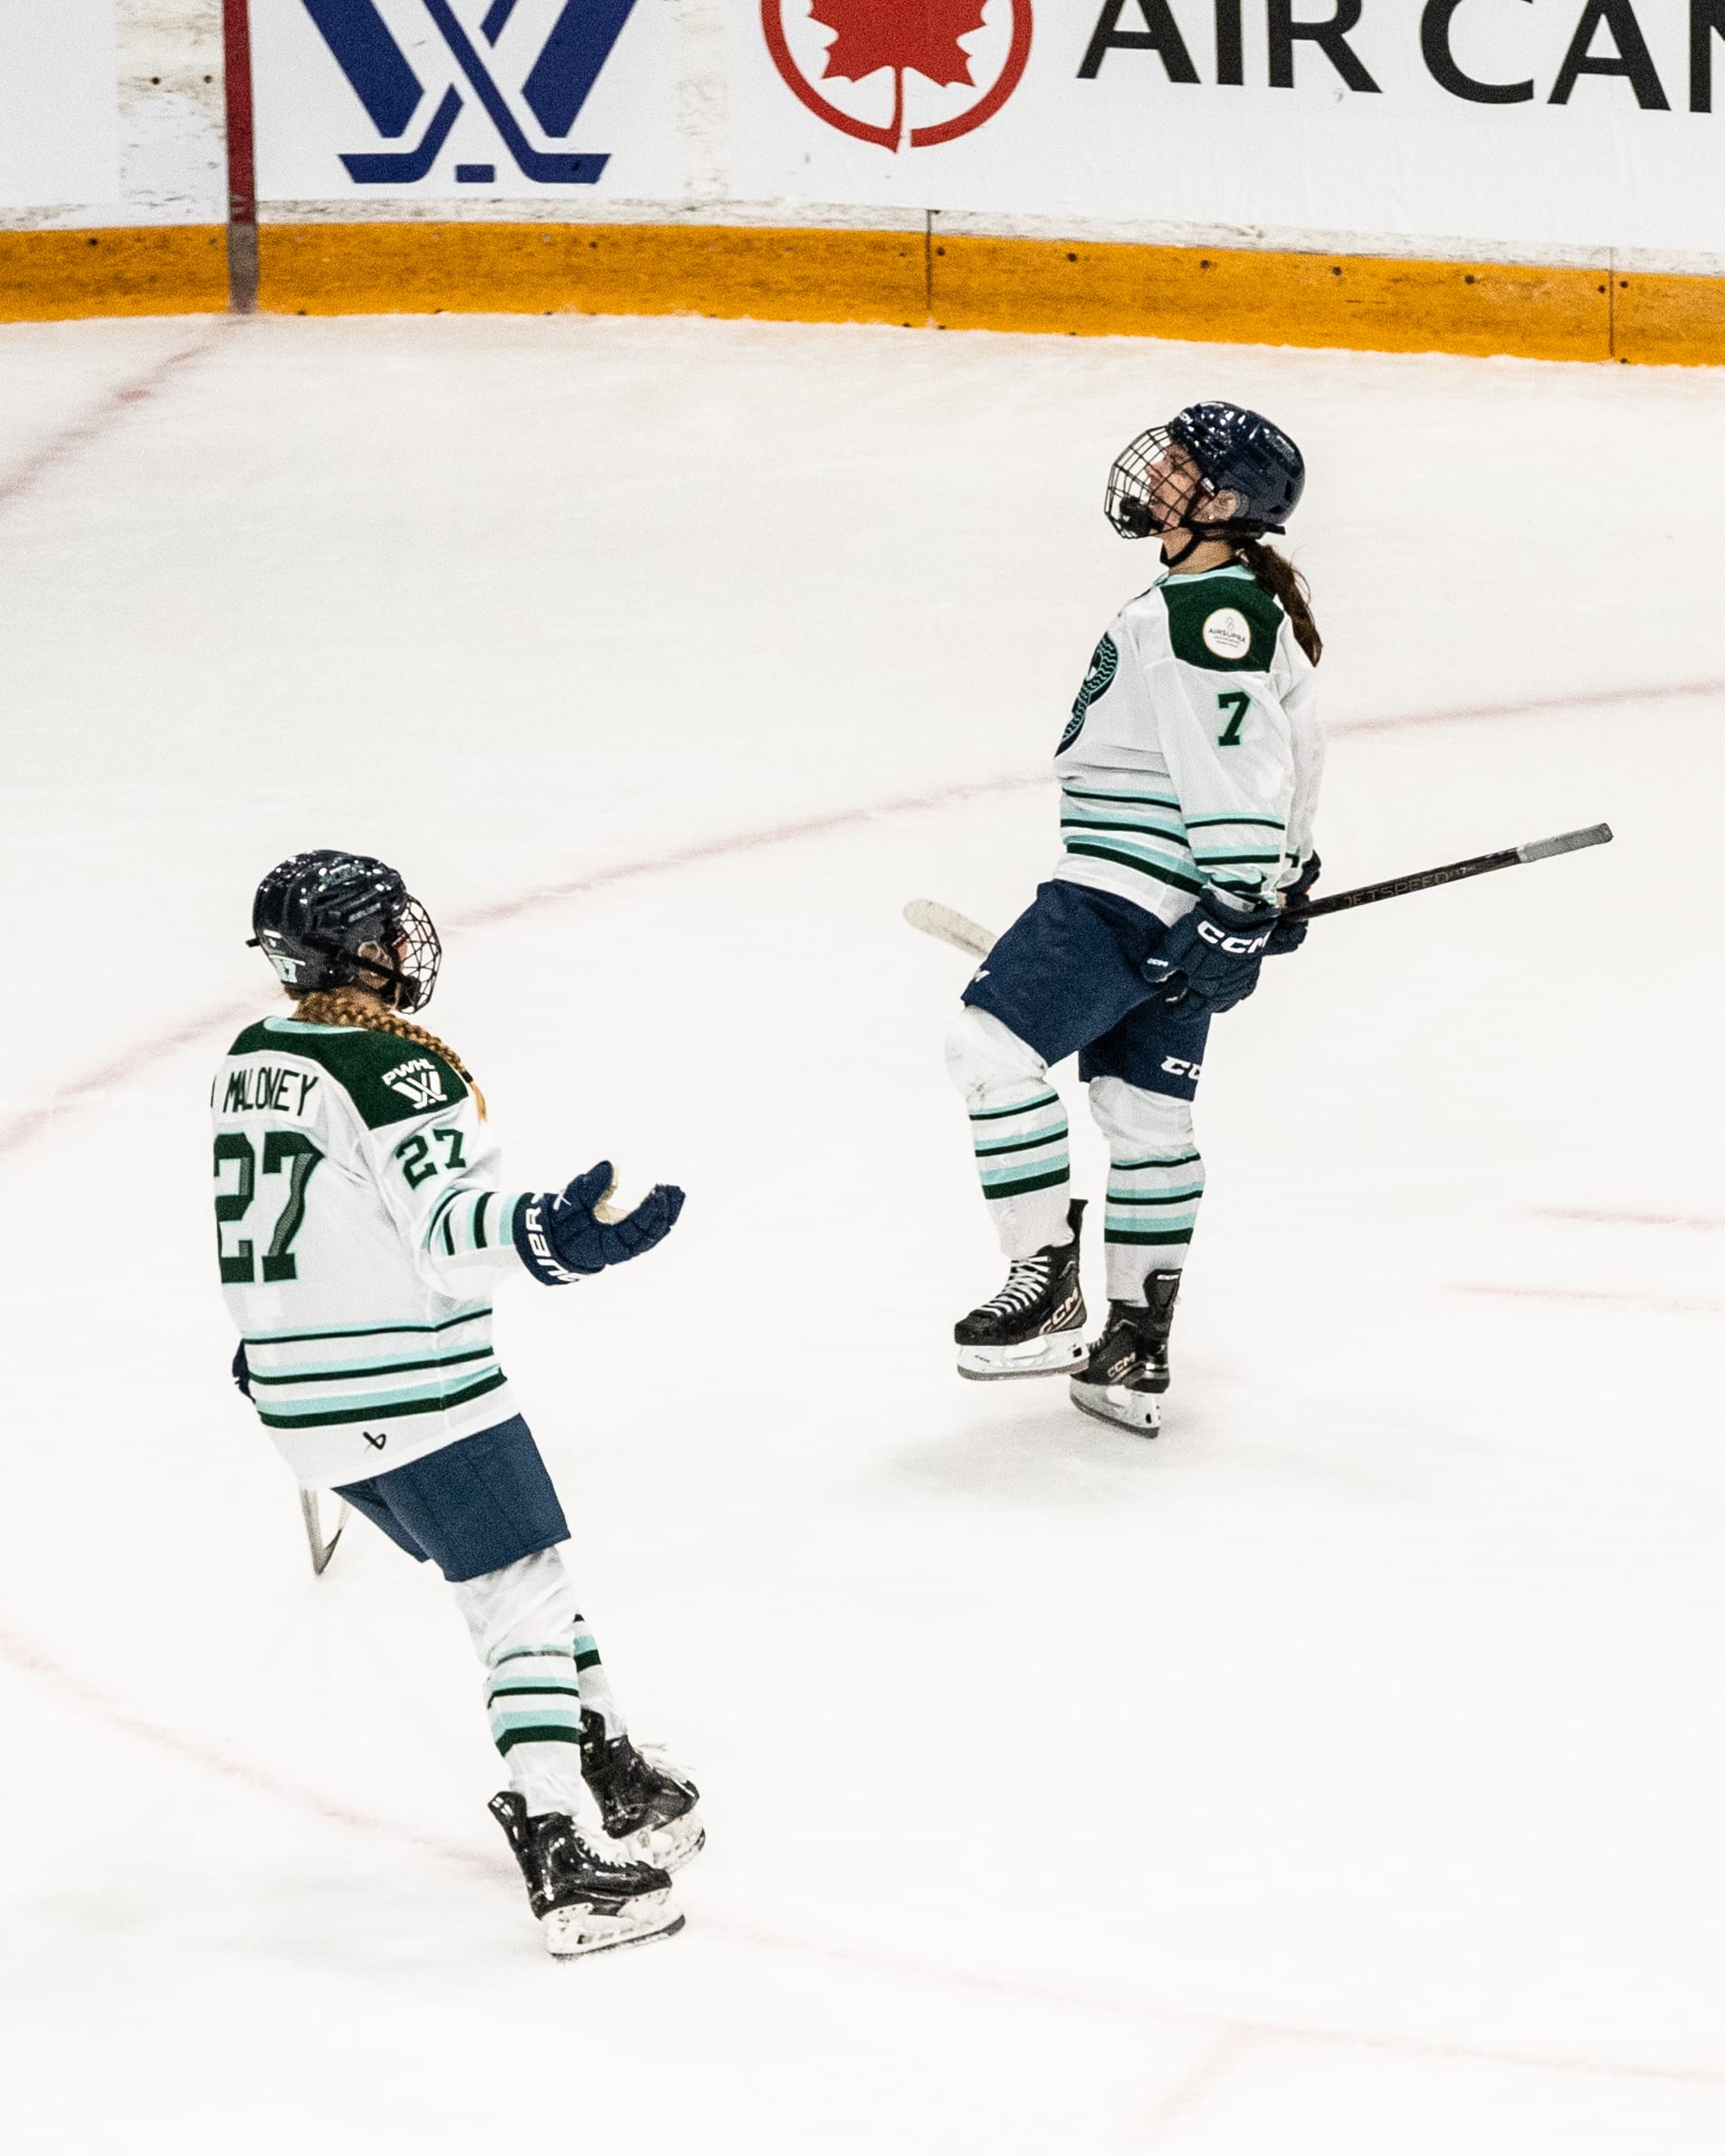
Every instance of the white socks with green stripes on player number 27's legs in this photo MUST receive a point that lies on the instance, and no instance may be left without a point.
(542, 1668)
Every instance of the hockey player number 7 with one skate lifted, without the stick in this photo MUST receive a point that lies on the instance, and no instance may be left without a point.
(1189, 782)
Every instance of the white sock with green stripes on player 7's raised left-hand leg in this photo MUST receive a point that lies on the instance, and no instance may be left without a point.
(1019, 1133)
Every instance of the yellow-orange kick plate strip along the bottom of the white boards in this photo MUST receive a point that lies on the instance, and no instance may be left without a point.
(1243, 296)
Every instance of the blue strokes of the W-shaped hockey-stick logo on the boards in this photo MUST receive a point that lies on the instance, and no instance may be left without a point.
(555, 92)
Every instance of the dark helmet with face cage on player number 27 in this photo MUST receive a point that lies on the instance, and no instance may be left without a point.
(331, 920)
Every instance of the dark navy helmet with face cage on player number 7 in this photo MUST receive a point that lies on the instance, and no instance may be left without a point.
(1234, 452)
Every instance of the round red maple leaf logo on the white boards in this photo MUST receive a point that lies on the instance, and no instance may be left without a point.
(907, 74)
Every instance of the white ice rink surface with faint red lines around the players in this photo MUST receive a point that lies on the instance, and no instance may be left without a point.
(1342, 1771)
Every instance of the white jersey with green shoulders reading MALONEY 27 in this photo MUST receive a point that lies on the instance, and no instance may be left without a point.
(361, 1230)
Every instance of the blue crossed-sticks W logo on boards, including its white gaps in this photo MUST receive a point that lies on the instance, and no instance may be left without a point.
(478, 61)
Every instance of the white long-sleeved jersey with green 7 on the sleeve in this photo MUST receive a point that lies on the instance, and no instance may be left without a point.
(1193, 754)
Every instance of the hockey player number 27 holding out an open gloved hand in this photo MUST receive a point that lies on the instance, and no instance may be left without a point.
(363, 1230)
